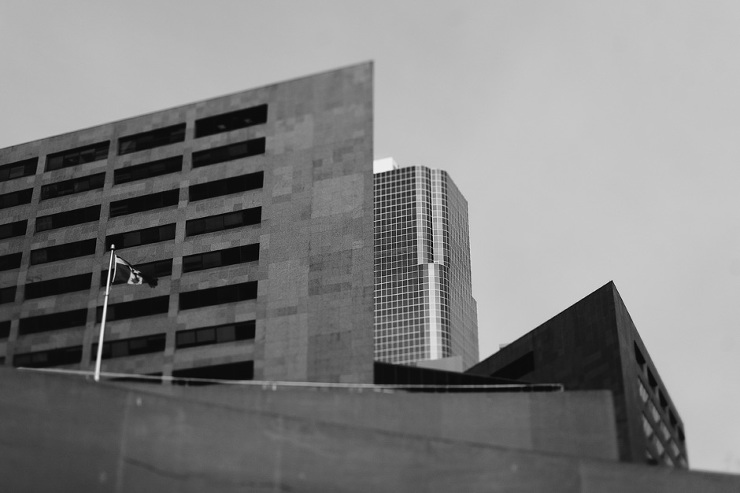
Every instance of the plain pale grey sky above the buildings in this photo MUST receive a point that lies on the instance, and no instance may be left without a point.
(593, 140)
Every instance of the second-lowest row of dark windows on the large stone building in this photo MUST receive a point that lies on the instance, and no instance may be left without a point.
(140, 345)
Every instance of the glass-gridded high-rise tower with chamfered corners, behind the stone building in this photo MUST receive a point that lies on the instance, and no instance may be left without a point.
(424, 307)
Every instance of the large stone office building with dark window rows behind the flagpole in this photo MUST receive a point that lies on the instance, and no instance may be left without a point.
(253, 209)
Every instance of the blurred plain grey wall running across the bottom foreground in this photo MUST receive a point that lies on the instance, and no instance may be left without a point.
(68, 434)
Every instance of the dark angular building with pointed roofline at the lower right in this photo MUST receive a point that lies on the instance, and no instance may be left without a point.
(594, 345)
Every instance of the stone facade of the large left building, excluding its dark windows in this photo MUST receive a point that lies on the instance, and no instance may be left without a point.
(313, 318)
